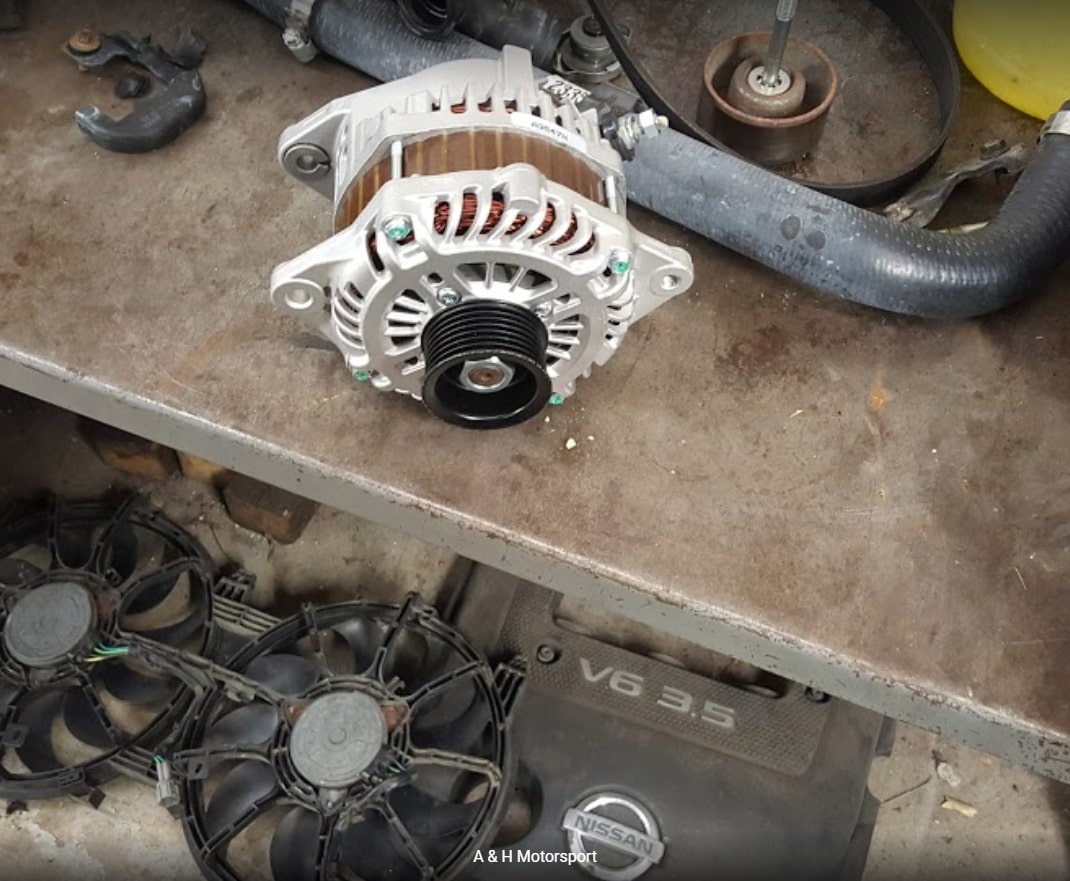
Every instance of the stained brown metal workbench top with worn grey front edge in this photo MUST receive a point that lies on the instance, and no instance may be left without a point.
(875, 506)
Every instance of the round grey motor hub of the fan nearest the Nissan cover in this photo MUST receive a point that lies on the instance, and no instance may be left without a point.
(338, 738)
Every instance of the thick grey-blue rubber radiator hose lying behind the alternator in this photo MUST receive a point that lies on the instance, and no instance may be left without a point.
(815, 239)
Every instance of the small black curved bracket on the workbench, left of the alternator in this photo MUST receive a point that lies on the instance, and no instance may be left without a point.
(155, 121)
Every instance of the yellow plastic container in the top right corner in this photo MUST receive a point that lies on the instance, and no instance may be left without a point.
(1019, 50)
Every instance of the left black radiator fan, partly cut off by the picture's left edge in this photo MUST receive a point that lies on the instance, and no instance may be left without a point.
(71, 704)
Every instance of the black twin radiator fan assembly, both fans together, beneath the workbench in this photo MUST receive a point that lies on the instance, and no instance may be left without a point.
(354, 741)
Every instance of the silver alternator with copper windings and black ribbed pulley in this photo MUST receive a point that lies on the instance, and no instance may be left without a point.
(482, 261)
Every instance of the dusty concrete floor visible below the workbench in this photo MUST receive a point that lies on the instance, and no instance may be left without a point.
(1021, 830)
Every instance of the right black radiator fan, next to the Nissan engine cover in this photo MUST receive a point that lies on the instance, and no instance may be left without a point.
(375, 749)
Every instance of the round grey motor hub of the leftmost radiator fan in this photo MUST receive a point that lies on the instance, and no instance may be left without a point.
(50, 624)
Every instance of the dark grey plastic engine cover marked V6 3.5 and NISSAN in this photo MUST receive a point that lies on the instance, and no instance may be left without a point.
(663, 772)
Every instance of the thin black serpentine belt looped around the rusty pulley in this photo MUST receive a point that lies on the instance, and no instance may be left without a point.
(918, 25)
